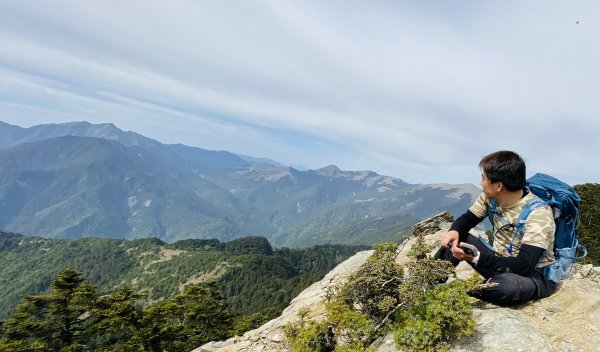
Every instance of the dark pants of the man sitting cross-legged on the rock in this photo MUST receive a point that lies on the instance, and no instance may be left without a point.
(512, 288)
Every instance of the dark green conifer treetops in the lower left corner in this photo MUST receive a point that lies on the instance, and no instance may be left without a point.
(73, 317)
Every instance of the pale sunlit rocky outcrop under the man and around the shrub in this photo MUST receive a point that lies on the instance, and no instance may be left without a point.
(569, 320)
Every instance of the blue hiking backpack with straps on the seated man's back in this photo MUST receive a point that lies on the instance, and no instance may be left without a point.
(564, 202)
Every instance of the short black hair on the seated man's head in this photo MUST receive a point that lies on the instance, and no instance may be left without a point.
(506, 167)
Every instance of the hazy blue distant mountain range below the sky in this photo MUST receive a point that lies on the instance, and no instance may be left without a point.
(79, 179)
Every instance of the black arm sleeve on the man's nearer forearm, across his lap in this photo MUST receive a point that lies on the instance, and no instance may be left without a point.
(521, 264)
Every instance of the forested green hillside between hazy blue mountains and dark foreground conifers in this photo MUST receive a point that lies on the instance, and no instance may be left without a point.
(257, 281)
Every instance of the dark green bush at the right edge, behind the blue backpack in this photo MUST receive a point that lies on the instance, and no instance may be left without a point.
(589, 220)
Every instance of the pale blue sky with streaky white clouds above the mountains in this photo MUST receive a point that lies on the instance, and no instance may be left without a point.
(416, 90)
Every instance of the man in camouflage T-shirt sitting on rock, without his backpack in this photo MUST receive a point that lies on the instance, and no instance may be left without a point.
(515, 261)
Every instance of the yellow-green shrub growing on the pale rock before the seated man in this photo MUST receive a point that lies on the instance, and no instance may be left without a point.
(381, 297)
